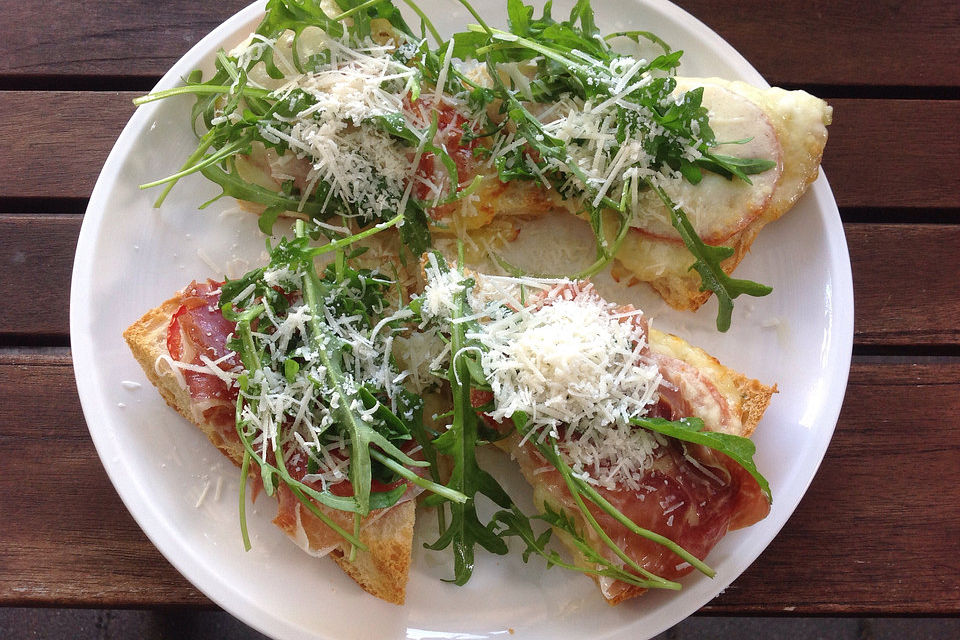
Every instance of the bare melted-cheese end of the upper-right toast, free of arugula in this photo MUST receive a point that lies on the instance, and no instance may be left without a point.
(788, 128)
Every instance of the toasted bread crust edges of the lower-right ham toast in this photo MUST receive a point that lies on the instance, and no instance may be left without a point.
(747, 398)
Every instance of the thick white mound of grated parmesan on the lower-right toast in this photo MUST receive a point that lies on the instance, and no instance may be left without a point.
(573, 363)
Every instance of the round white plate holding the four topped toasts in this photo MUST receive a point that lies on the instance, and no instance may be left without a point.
(183, 493)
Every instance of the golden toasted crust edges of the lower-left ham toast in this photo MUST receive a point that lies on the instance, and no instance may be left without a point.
(383, 570)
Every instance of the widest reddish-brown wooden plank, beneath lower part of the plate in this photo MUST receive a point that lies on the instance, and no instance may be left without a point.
(876, 533)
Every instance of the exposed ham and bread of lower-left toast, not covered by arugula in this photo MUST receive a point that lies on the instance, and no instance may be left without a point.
(189, 325)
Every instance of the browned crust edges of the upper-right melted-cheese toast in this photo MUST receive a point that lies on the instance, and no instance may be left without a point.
(800, 122)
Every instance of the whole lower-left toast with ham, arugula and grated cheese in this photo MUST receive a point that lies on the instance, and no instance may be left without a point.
(290, 374)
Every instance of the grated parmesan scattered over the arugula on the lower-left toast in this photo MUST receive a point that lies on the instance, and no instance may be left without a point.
(293, 410)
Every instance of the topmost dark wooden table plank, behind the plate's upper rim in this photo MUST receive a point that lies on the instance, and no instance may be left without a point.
(801, 42)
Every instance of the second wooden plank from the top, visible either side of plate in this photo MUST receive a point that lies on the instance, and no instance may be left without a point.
(881, 153)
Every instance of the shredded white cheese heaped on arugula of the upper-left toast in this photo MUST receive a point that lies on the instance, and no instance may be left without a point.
(365, 168)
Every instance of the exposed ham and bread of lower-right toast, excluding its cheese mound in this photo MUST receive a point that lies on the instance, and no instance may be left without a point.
(686, 493)
